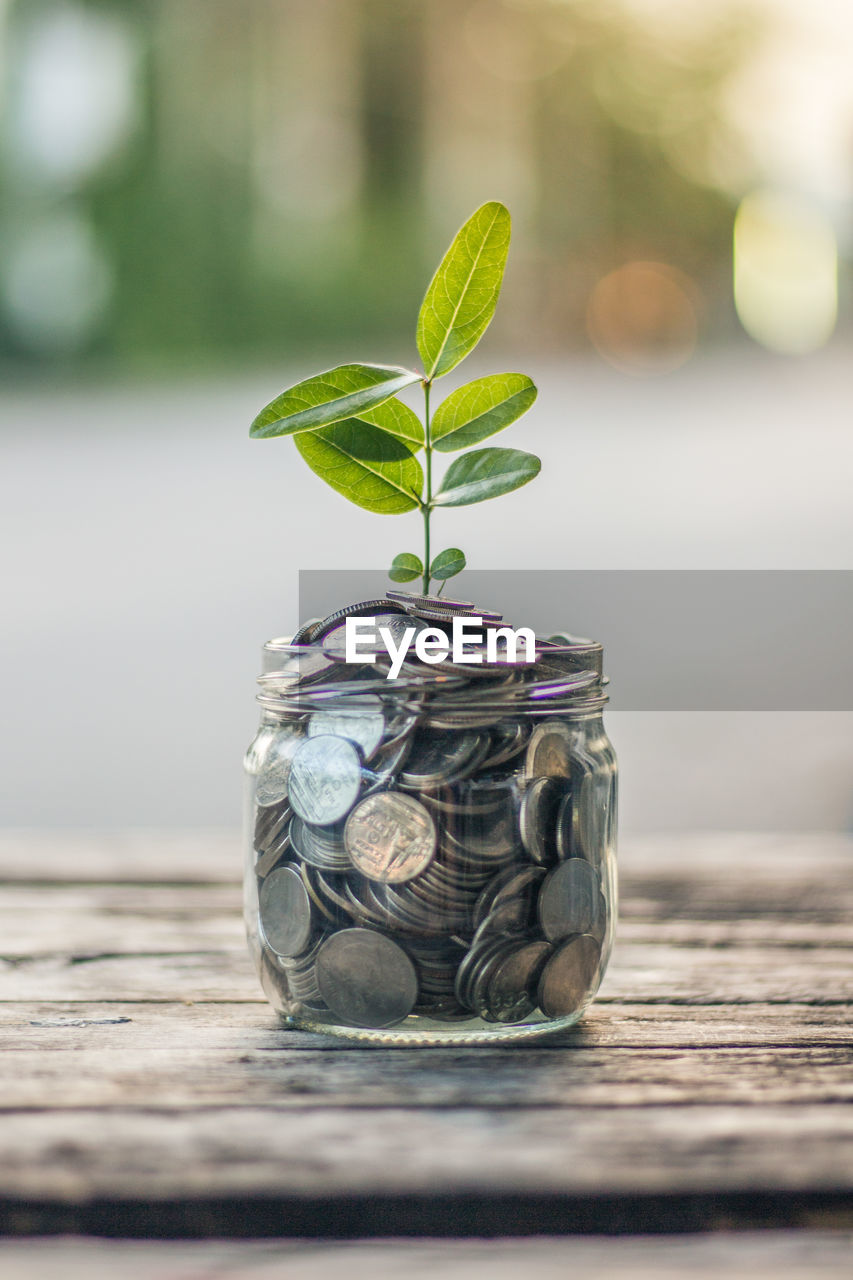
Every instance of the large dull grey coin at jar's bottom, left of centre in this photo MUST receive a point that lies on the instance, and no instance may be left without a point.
(366, 979)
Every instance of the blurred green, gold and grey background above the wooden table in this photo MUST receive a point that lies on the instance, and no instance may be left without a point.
(206, 200)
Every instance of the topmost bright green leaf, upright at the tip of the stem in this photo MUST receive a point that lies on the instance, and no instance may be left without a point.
(463, 295)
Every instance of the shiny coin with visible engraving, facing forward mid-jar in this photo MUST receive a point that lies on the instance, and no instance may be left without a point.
(390, 838)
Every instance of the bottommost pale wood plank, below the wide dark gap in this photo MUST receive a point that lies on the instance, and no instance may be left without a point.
(740, 1256)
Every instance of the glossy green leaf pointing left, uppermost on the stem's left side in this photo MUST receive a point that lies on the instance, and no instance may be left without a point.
(331, 397)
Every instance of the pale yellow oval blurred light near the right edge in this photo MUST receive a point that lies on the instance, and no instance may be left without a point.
(786, 272)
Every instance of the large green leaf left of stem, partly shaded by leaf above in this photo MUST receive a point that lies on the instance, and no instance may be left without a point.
(364, 464)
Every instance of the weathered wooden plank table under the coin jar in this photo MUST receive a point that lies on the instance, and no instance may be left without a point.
(148, 1091)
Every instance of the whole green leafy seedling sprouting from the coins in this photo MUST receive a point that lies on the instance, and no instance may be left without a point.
(363, 441)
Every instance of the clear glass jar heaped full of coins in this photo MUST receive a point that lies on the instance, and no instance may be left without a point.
(430, 858)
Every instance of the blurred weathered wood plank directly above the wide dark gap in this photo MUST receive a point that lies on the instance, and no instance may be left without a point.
(240, 1154)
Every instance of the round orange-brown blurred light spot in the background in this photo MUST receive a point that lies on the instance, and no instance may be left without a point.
(644, 318)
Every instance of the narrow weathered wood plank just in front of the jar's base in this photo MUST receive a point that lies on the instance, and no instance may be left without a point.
(195, 1076)
